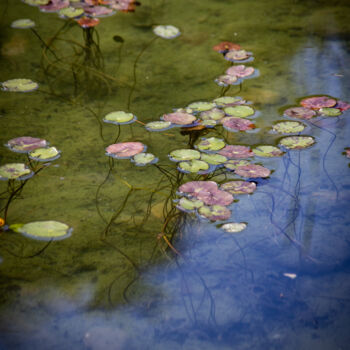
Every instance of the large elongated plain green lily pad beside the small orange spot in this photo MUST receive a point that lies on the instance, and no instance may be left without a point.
(45, 230)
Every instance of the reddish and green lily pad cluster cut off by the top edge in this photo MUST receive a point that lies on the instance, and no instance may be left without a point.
(85, 12)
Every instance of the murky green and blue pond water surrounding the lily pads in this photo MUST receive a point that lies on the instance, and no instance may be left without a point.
(136, 272)
